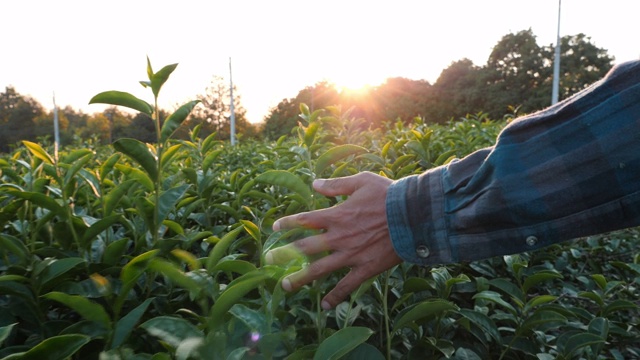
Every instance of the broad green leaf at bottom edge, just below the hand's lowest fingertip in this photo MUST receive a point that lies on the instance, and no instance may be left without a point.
(342, 342)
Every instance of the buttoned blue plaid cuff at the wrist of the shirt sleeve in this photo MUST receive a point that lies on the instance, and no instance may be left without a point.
(415, 216)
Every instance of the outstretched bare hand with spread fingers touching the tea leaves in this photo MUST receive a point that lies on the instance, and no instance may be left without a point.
(355, 233)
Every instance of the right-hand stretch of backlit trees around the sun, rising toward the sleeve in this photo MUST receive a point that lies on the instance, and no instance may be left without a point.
(517, 78)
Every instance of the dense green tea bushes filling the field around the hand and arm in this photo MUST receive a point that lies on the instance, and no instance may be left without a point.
(156, 251)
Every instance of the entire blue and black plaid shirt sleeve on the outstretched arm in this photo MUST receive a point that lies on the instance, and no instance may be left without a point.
(569, 171)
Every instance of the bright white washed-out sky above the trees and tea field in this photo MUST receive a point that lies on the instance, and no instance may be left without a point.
(80, 48)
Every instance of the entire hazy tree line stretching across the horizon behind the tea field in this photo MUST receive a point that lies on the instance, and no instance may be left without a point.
(516, 77)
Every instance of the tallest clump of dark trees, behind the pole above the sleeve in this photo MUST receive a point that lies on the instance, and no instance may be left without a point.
(518, 74)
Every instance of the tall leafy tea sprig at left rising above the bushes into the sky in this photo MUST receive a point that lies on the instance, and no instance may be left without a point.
(151, 158)
